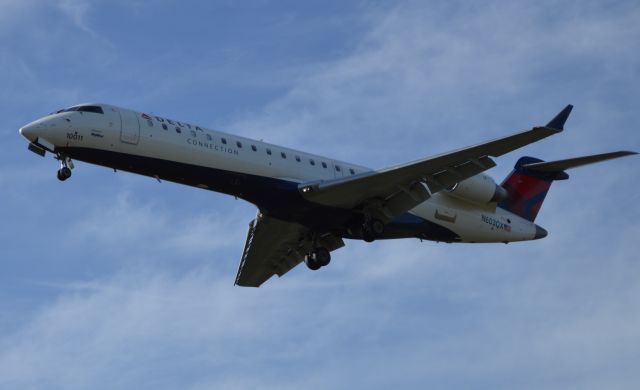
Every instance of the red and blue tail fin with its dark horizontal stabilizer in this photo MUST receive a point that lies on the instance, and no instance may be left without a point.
(529, 182)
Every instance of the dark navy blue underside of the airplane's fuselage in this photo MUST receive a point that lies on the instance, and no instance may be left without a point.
(275, 197)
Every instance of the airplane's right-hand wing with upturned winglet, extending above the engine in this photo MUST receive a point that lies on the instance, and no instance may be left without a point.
(400, 188)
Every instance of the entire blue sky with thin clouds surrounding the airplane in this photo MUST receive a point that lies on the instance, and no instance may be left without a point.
(113, 280)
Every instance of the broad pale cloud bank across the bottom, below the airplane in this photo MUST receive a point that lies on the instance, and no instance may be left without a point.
(502, 321)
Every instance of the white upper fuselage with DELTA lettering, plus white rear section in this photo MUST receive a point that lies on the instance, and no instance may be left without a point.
(133, 133)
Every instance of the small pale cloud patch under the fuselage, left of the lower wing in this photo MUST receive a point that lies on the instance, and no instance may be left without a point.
(125, 222)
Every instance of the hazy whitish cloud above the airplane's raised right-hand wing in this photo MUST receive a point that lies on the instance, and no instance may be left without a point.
(423, 79)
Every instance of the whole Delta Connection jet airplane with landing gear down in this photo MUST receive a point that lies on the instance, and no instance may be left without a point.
(309, 204)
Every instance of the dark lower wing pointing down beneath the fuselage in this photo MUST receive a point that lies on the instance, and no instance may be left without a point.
(274, 247)
